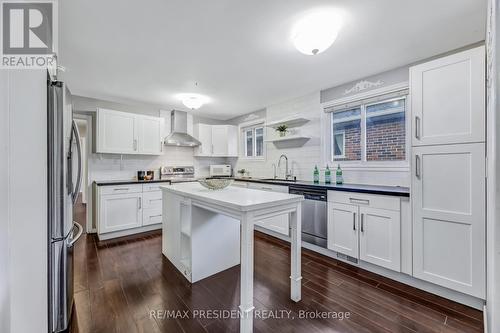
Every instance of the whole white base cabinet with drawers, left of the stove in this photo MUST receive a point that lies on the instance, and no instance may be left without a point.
(127, 209)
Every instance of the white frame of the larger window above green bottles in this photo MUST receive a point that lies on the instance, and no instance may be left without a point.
(363, 163)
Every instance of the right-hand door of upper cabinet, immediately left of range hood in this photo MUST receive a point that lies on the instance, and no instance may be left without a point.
(149, 135)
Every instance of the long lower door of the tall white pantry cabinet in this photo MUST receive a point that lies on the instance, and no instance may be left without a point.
(448, 193)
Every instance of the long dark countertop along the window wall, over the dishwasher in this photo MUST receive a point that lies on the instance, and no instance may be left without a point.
(359, 188)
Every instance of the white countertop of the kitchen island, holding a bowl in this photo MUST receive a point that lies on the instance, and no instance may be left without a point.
(233, 197)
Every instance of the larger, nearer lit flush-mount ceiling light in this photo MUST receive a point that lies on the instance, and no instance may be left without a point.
(316, 31)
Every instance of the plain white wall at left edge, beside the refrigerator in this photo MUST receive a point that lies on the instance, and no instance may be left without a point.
(23, 228)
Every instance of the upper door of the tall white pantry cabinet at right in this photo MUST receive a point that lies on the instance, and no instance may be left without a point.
(448, 99)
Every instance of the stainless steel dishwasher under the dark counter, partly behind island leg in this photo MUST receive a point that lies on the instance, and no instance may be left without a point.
(314, 214)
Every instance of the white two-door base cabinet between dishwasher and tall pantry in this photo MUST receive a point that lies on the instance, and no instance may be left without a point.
(369, 231)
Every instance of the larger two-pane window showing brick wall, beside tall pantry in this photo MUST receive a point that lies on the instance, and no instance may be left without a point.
(373, 131)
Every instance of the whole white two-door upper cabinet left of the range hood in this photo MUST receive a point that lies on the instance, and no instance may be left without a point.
(128, 133)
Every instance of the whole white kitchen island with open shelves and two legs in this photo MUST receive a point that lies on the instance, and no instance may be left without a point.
(205, 232)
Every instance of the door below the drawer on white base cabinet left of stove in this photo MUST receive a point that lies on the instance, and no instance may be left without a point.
(120, 212)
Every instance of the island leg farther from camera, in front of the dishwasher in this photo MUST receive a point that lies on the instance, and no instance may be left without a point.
(295, 235)
